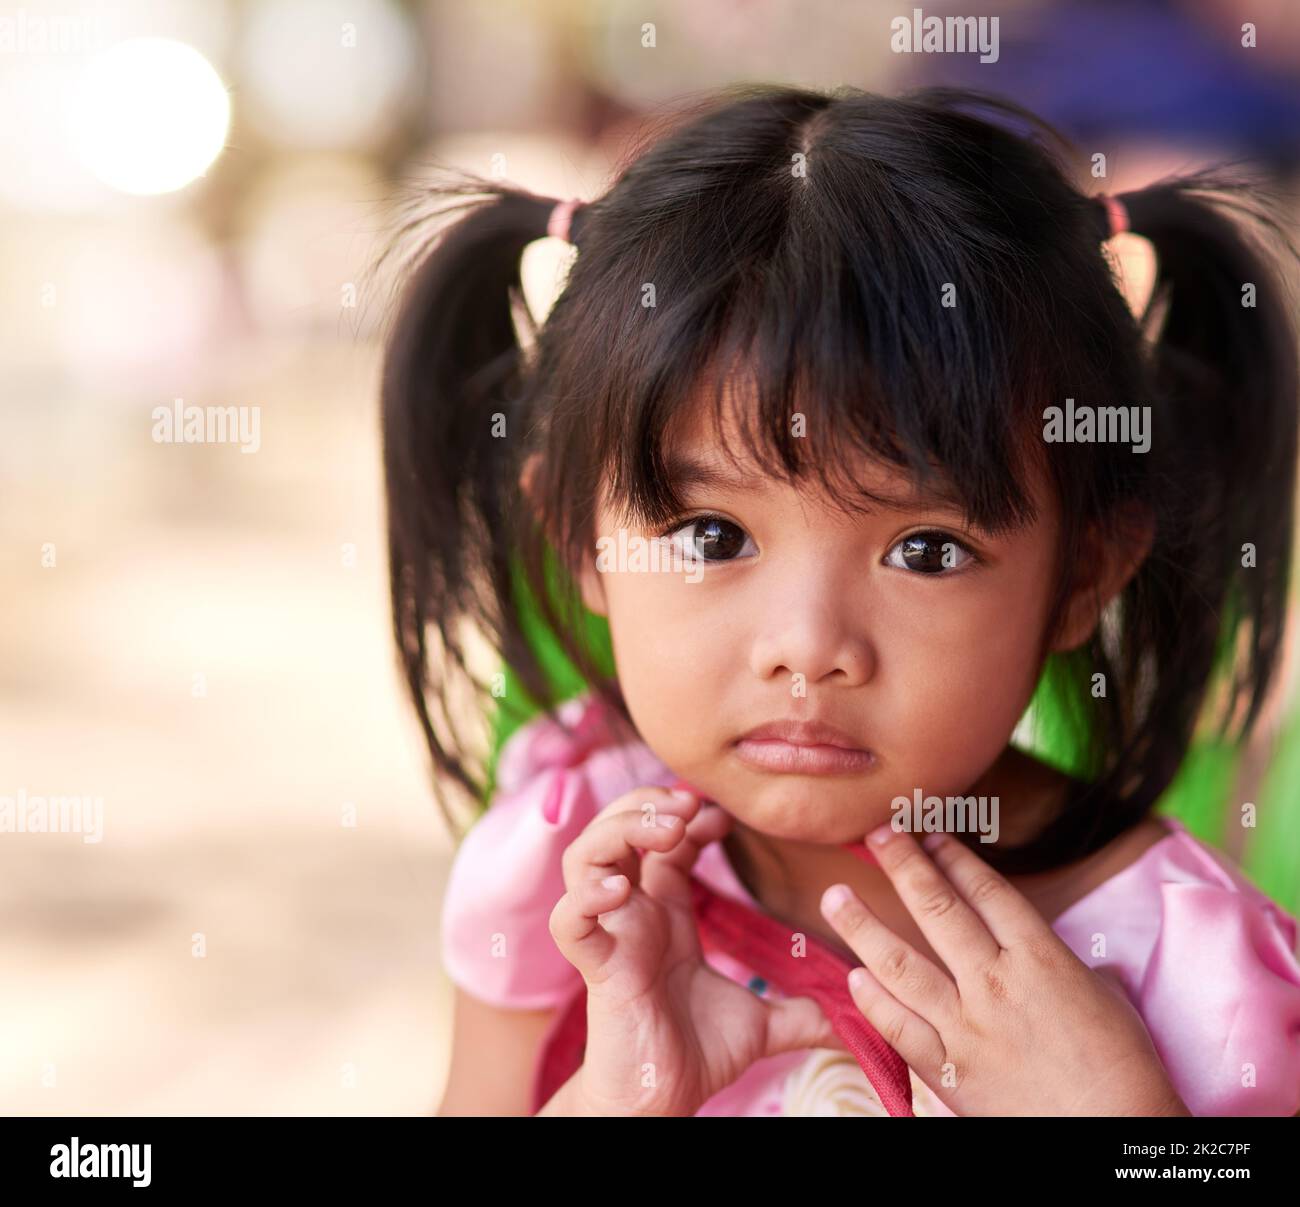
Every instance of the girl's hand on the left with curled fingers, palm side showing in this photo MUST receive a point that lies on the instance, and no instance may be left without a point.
(664, 1031)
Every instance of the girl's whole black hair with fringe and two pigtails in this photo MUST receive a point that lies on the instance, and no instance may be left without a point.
(812, 240)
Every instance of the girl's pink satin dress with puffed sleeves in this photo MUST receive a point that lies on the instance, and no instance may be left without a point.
(1207, 959)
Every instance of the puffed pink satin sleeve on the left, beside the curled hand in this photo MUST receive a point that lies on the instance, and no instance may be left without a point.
(506, 876)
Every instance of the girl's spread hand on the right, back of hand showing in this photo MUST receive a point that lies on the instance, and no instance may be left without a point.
(1019, 1024)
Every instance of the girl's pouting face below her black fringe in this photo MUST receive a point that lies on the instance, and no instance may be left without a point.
(924, 656)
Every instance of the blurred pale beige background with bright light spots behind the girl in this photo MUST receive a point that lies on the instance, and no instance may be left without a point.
(196, 633)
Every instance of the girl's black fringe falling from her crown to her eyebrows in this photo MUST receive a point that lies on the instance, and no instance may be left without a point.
(822, 351)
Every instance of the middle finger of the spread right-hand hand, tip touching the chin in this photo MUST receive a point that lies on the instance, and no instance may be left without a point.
(955, 931)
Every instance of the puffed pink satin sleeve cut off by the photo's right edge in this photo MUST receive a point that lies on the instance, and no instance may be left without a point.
(1221, 998)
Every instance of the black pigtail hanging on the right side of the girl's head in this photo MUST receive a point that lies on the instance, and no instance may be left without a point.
(1204, 617)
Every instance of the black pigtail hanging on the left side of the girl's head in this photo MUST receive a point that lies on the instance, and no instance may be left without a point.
(453, 426)
